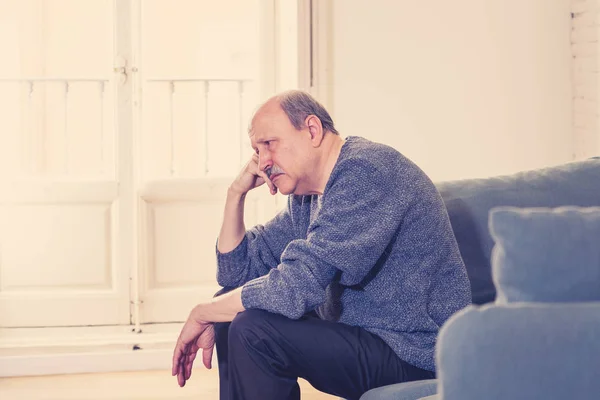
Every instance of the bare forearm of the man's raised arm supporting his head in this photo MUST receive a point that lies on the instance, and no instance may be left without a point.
(233, 228)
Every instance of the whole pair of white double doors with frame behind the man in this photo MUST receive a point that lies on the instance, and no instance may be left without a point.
(122, 122)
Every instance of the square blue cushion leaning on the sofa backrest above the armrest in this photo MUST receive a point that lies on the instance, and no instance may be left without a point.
(546, 254)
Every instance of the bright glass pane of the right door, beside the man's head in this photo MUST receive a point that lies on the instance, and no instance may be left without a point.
(200, 70)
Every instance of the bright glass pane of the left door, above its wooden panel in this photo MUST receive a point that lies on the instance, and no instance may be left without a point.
(56, 124)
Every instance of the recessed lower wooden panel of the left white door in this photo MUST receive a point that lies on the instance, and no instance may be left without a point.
(52, 230)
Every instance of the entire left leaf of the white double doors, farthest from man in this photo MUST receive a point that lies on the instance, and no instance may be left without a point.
(65, 187)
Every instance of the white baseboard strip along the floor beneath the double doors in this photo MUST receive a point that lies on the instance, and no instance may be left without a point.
(50, 351)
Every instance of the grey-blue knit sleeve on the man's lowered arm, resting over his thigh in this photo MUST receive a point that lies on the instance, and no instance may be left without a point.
(359, 216)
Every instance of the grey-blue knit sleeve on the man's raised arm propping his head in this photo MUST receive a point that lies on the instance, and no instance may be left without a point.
(258, 252)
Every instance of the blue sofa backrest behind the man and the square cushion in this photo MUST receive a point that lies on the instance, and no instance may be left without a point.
(469, 201)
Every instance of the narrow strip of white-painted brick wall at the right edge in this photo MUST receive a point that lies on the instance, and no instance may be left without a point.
(584, 40)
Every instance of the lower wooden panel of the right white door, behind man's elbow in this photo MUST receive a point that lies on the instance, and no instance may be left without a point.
(179, 227)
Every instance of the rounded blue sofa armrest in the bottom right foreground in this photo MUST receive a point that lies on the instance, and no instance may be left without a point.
(544, 351)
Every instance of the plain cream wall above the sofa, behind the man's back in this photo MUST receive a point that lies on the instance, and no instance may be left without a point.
(464, 88)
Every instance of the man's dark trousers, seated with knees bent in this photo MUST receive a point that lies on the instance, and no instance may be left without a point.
(261, 355)
